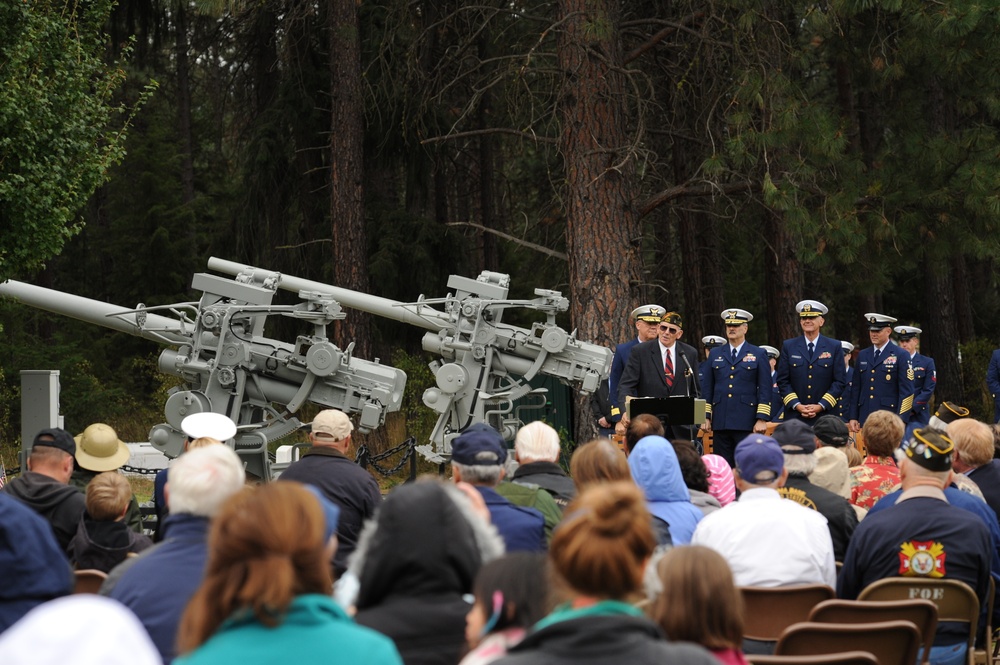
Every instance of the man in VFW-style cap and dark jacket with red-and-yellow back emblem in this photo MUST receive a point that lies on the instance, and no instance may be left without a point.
(922, 536)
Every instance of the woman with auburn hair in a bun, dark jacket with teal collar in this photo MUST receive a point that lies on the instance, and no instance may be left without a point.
(598, 554)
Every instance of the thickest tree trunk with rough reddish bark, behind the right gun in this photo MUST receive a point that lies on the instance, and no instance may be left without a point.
(601, 222)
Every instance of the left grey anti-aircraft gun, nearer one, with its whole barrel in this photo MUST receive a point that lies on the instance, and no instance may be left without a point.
(228, 365)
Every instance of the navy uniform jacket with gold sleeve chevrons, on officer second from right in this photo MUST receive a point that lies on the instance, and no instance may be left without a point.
(883, 386)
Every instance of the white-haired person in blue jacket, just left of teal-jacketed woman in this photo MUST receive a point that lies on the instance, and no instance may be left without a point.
(158, 584)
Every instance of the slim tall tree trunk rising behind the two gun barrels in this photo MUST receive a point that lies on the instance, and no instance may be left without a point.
(347, 210)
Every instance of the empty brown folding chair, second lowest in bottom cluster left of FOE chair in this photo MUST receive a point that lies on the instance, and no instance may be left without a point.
(891, 642)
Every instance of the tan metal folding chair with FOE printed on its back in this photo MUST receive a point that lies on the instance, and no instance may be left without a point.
(956, 601)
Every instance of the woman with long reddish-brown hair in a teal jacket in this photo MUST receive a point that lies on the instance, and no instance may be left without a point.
(266, 593)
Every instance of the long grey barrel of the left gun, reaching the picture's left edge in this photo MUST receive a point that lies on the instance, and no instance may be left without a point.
(157, 328)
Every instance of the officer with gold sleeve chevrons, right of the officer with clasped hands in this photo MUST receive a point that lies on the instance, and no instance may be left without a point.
(882, 376)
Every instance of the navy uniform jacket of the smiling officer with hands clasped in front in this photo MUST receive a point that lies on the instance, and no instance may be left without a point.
(817, 380)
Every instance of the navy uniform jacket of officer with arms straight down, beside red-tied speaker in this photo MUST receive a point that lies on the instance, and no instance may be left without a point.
(737, 394)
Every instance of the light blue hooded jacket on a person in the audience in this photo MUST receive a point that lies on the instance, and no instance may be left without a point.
(657, 472)
